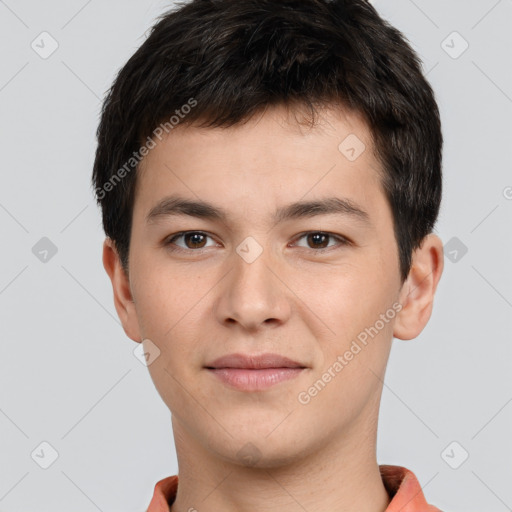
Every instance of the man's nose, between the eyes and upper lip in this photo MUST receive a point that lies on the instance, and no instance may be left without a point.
(254, 292)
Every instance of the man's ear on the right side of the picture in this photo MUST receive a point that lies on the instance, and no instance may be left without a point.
(417, 292)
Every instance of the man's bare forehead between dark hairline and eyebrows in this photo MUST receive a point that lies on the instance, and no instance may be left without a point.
(275, 158)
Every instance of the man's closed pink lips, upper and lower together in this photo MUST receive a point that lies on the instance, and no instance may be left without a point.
(254, 372)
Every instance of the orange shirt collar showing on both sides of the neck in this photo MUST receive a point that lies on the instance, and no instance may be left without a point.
(402, 485)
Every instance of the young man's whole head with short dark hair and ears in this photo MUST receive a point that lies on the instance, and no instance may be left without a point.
(228, 115)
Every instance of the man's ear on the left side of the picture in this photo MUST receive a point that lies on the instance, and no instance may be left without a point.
(123, 301)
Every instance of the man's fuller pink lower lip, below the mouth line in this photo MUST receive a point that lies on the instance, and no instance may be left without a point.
(246, 379)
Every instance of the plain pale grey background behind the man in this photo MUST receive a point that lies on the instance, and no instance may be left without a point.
(68, 375)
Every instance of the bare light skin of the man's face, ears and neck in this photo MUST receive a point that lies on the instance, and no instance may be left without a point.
(292, 300)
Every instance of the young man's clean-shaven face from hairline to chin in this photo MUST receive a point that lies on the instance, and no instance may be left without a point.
(247, 273)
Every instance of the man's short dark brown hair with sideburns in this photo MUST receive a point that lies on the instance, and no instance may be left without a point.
(230, 59)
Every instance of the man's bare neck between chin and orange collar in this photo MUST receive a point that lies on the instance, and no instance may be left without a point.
(341, 476)
